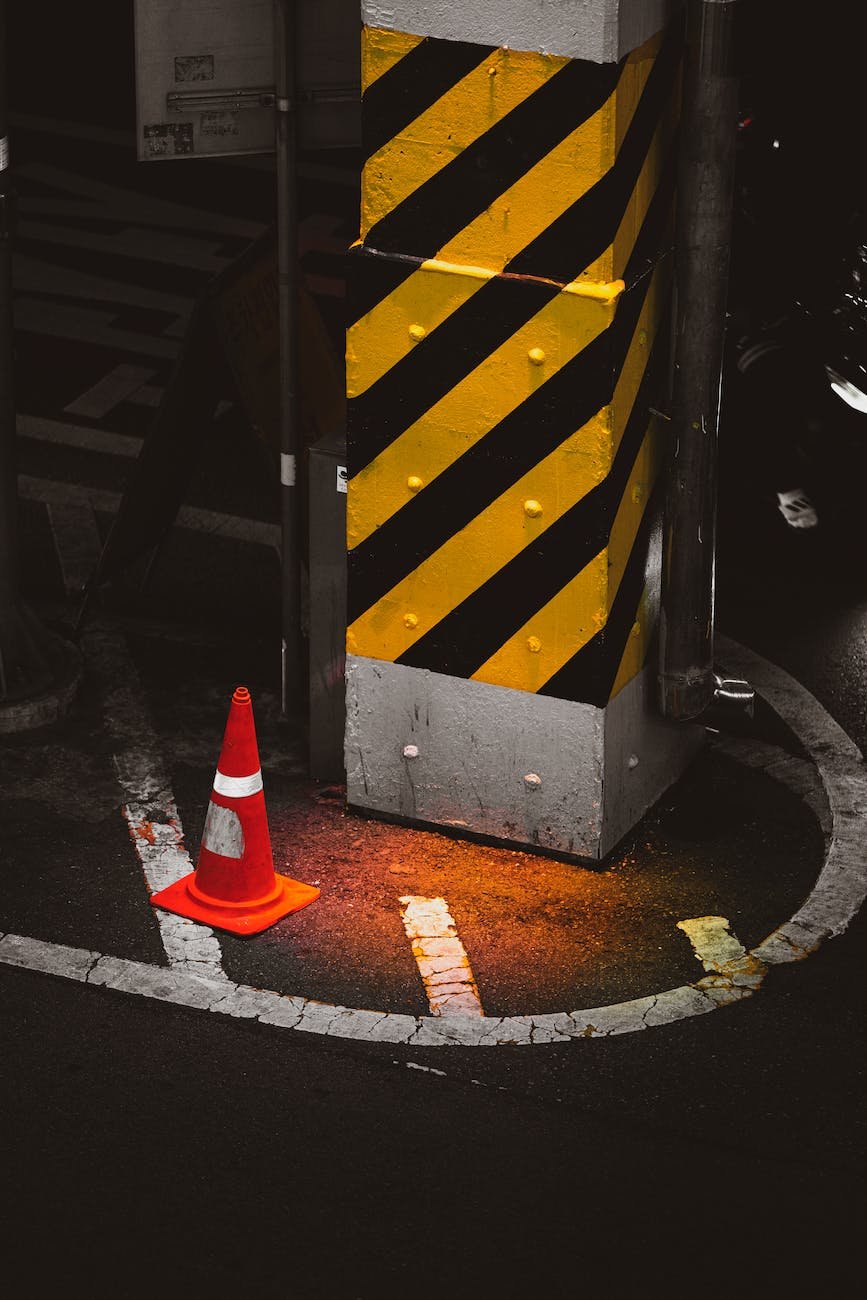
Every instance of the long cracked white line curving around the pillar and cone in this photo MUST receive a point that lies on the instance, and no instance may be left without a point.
(835, 900)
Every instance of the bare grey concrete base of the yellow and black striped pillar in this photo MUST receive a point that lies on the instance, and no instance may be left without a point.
(528, 770)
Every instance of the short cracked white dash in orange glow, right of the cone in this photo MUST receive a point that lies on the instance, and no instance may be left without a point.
(441, 957)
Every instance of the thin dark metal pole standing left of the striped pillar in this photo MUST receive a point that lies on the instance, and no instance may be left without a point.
(288, 309)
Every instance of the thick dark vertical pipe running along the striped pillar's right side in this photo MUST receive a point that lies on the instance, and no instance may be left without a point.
(704, 214)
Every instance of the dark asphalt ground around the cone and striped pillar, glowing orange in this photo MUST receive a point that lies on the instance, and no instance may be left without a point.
(158, 1143)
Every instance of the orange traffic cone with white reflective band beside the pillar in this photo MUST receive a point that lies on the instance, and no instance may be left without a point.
(235, 886)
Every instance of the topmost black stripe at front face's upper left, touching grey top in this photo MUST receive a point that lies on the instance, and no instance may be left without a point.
(413, 85)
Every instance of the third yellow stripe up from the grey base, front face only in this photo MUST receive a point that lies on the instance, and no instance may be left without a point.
(471, 410)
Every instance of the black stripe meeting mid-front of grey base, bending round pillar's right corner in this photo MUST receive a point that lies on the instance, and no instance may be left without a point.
(467, 638)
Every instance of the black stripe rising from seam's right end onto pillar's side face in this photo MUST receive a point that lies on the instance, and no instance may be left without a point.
(589, 226)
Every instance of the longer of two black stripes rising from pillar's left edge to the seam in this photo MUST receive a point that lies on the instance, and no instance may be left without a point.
(436, 366)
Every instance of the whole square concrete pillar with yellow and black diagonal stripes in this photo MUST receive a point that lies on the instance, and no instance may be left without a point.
(510, 305)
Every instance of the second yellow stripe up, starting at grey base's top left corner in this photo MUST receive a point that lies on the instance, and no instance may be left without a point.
(469, 560)
